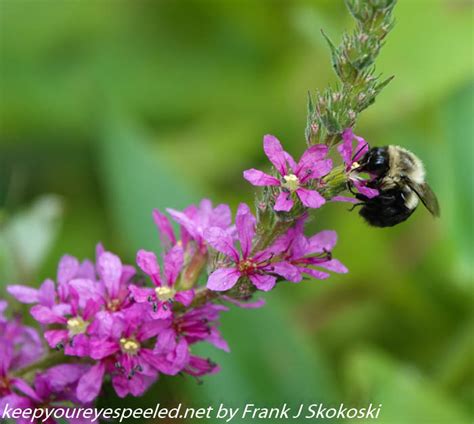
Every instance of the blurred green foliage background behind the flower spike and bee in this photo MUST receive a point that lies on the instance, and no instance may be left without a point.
(111, 108)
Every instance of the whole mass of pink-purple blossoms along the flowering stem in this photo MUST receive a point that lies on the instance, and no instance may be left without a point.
(129, 327)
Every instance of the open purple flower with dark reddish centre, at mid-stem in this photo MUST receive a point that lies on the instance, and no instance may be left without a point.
(258, 266)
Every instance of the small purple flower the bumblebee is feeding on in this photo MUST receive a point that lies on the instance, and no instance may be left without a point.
(350, 156)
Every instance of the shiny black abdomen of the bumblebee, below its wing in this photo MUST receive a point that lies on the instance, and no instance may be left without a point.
(385, 210)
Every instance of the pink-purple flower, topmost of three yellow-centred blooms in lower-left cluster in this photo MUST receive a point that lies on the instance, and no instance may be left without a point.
(165, 292)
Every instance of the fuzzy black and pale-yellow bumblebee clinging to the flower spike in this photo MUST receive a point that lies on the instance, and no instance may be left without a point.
(399, 176)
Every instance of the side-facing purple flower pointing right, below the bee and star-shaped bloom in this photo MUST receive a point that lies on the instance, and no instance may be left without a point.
(305, 253)
